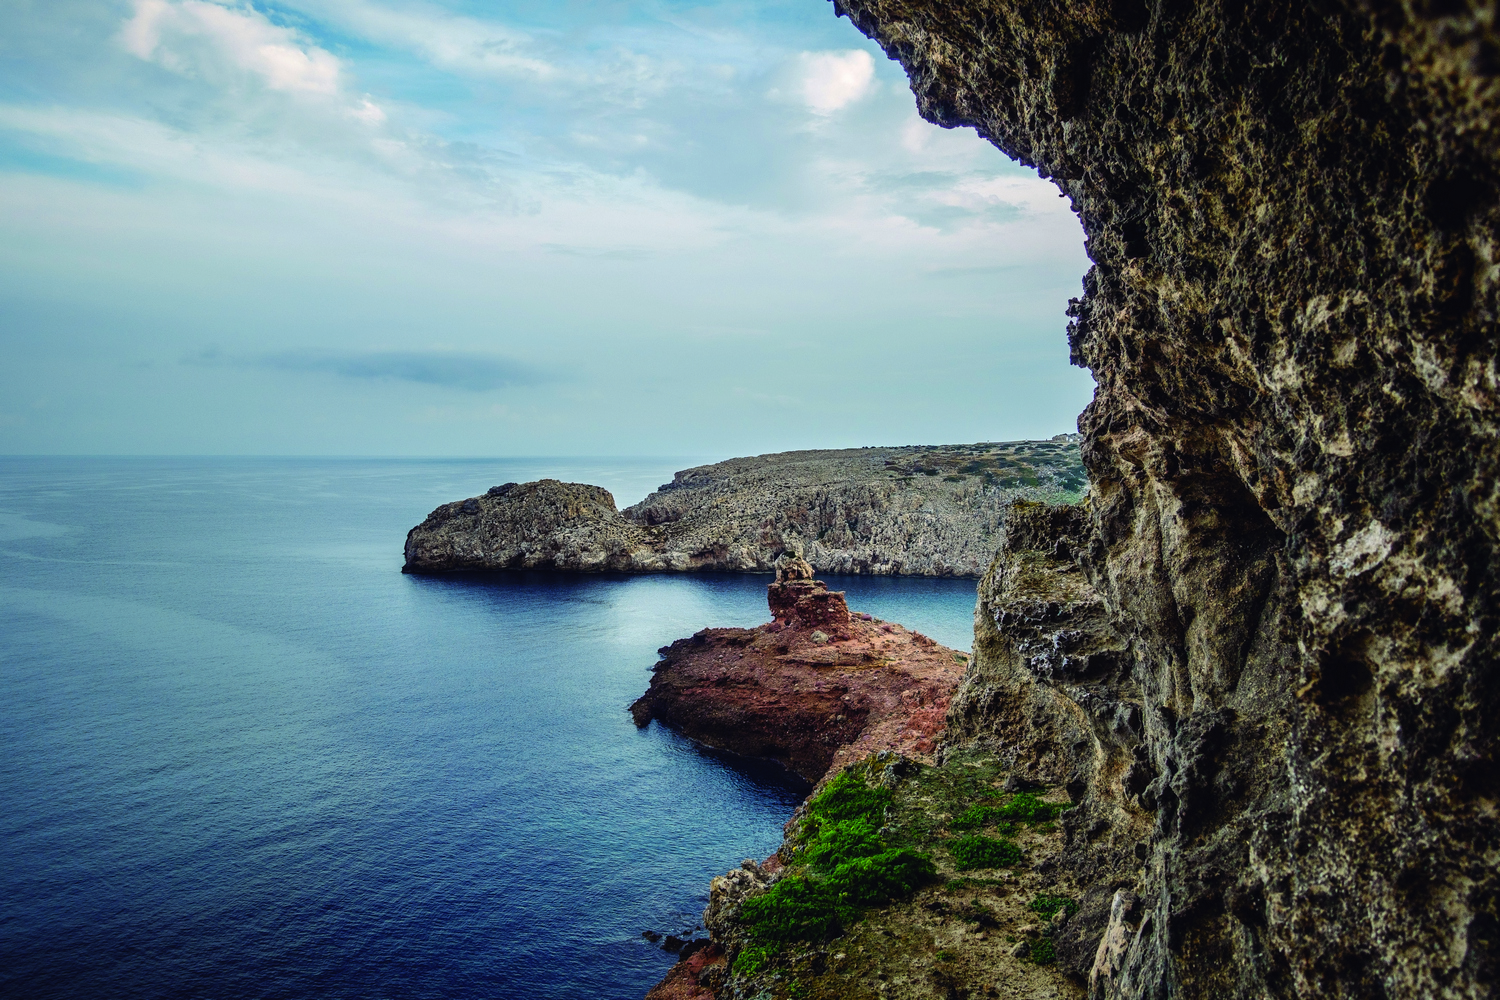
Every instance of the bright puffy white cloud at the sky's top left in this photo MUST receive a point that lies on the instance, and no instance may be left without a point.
(197, 38)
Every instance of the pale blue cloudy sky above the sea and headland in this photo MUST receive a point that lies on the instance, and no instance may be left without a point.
(461, 229)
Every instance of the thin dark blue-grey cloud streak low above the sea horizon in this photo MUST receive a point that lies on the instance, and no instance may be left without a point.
(473, 373)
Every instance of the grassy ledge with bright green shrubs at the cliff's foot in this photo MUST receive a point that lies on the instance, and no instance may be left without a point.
(874, 903)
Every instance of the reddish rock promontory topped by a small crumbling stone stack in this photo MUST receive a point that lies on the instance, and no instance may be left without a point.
(814, 689)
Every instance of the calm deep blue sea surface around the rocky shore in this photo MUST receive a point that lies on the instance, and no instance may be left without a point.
(244, 756)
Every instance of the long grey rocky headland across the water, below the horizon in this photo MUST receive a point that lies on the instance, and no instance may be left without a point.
(907, 512)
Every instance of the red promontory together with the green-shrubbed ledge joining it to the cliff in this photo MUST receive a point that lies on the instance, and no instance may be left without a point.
(889, 882)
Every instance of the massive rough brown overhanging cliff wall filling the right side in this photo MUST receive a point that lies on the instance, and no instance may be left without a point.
(1288, 755)
